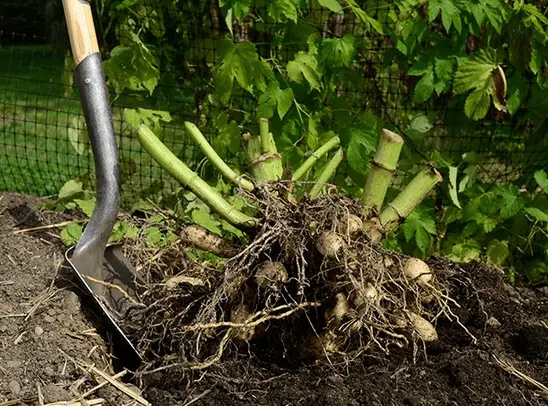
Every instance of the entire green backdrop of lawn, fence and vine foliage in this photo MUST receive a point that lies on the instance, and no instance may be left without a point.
(429, 70)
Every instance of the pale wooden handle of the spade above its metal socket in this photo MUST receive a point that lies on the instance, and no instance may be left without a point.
(83, 38)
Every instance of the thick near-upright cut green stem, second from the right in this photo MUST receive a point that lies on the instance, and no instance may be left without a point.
(382, 171)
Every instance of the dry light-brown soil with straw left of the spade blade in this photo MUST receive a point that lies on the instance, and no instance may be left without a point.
(42, 319)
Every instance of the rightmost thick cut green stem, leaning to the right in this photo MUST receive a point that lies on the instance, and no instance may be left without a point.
(409, 198)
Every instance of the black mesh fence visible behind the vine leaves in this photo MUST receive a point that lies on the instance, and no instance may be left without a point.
(42, 135)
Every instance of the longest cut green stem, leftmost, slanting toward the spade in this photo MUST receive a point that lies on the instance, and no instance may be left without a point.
(168, 161)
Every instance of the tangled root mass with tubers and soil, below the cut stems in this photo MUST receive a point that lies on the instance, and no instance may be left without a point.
(310, 284)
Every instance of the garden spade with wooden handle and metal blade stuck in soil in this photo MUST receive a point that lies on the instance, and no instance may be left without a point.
(105, 273)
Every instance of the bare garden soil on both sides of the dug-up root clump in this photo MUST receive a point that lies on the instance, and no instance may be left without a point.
(508, 323)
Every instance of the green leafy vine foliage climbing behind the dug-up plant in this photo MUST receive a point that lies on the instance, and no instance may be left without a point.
(484, 59)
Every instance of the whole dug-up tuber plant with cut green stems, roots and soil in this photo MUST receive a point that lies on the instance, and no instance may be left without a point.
(310, 281)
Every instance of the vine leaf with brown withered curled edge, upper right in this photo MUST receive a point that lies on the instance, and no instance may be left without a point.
(485, 78)
